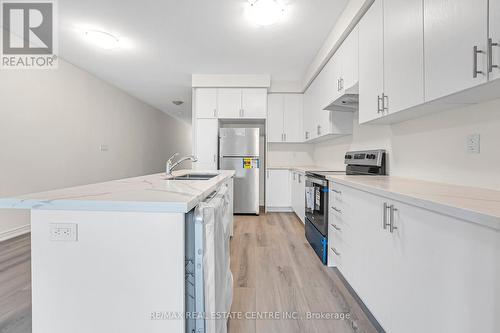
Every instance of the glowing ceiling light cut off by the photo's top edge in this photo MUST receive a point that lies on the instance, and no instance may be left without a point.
(265, 12)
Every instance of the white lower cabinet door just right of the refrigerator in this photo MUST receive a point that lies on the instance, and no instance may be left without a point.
(278, 189)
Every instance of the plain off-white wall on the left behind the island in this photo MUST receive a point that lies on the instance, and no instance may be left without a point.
(53, 122)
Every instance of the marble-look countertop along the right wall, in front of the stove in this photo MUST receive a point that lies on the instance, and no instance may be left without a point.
(481, 206)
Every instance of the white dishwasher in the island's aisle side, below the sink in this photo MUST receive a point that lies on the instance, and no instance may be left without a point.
(209, 281)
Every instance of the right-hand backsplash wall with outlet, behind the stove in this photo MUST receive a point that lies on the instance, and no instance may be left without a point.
(430, 148)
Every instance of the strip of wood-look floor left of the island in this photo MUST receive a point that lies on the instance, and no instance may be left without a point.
(15, 285)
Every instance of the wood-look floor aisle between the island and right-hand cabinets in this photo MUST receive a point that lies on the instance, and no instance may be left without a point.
(275, 270)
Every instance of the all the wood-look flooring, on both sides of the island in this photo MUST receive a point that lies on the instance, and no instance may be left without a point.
(275, 271)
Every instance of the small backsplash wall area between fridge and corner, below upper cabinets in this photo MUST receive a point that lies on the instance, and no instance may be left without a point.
(289, 154)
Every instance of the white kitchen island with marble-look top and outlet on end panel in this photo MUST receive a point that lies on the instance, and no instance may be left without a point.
(110, 257)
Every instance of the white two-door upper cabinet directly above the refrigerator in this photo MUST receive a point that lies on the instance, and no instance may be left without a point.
(234, 103)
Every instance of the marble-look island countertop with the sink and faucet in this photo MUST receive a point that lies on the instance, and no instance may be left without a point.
(152, 193)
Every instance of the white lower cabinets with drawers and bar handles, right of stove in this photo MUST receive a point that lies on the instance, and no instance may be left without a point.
(432, 273)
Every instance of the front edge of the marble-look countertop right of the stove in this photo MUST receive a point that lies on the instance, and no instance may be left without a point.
(460, 213)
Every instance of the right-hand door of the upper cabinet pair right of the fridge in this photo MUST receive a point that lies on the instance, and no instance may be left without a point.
(293, 105)
